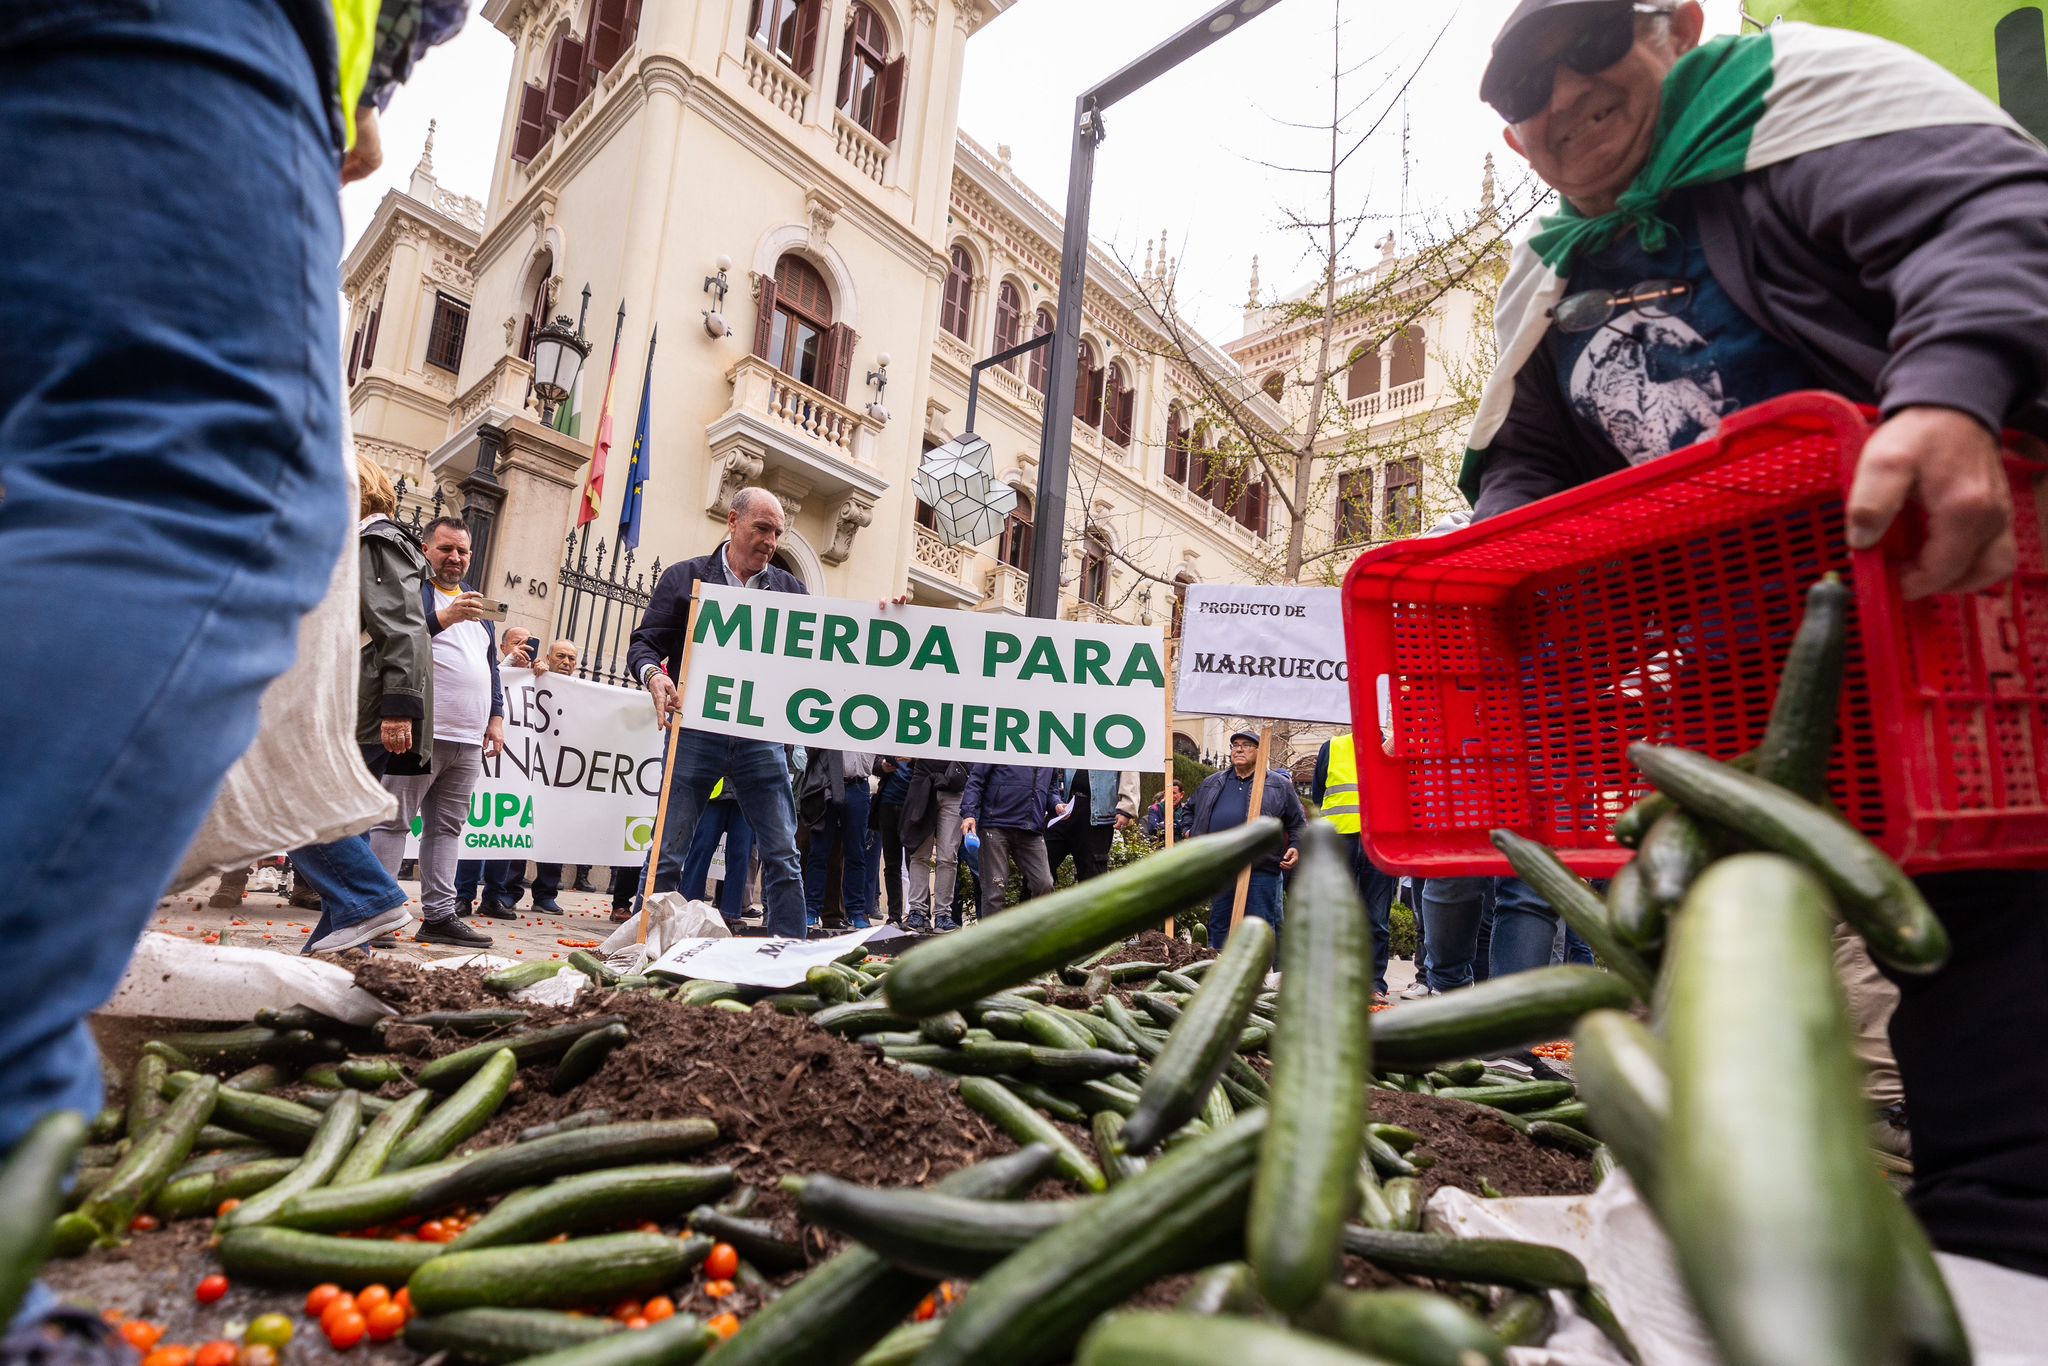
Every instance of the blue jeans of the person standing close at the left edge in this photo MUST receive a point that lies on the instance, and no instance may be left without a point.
(171, 458)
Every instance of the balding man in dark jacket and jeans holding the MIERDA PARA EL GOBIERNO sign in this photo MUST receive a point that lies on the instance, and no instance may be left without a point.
(759, 771)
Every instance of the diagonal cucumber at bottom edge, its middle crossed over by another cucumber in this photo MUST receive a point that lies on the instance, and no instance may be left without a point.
(849, 1304)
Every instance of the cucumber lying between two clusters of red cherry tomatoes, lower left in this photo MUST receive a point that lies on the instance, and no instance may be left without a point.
(589, 1271)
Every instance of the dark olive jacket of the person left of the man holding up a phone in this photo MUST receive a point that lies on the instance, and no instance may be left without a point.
(398, 656)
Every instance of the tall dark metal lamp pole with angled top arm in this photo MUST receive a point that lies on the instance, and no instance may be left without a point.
(1056, 441)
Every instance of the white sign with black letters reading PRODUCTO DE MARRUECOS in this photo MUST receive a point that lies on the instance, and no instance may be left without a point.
(1263, 652)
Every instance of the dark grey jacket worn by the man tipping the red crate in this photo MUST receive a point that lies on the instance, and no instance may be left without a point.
(1904, 269)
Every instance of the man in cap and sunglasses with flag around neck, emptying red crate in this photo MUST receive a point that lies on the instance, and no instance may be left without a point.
(1803, 210)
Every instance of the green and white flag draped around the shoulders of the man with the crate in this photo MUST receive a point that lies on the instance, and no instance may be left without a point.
(1730, 108)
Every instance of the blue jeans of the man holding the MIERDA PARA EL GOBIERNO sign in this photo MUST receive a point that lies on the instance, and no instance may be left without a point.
(761, 779)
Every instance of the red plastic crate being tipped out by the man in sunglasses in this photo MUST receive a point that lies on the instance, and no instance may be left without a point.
(1529, 652)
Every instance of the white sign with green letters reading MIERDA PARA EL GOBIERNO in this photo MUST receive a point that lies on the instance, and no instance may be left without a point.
(927, 683)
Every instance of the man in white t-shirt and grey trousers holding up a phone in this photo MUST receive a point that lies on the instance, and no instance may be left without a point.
(468, 728)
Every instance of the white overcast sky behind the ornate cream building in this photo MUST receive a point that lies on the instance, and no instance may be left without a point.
(1183, 157)
